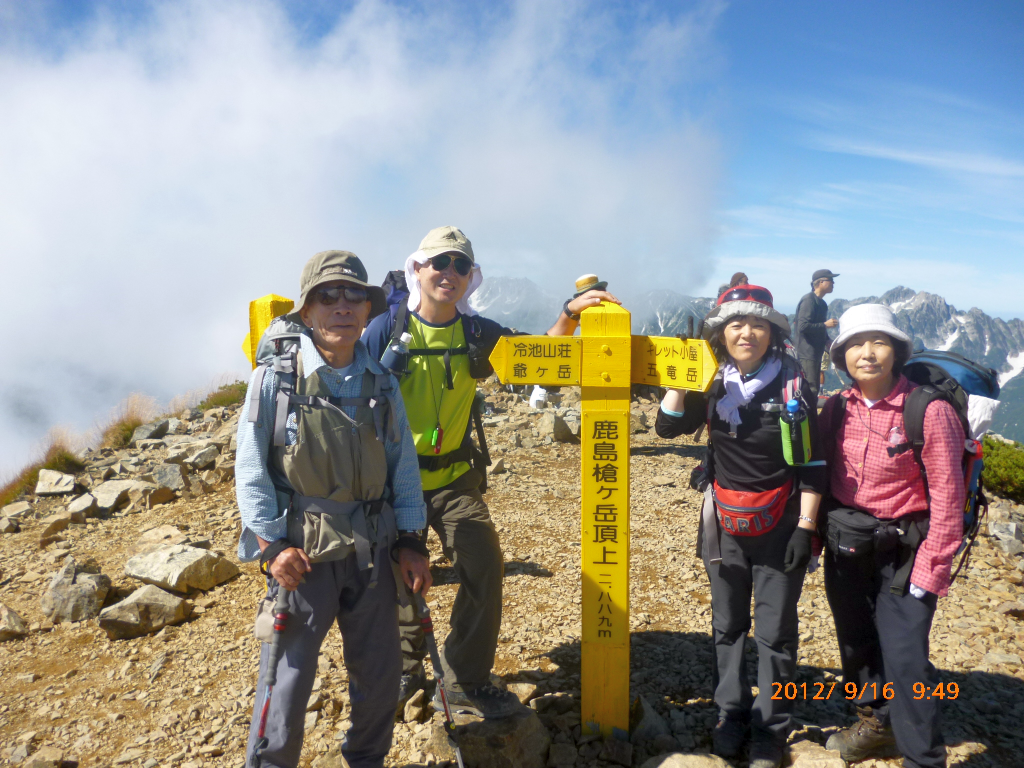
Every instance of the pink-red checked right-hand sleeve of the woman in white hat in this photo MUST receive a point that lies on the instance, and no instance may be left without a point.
(943, 456)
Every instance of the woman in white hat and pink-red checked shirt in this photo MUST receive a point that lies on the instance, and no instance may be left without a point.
(883, 598)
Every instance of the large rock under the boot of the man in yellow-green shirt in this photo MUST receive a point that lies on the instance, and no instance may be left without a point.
(518, 742)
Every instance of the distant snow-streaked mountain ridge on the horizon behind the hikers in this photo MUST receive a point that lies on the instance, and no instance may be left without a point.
(519, 303)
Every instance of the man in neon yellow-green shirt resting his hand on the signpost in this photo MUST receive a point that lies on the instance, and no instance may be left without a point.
(448, 354)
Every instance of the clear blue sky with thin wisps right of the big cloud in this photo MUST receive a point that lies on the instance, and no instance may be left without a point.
(882, 141)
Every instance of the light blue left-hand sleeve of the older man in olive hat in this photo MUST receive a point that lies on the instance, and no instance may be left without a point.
(253, 488)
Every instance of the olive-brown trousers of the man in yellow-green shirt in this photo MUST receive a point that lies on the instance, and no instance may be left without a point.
(457, 513)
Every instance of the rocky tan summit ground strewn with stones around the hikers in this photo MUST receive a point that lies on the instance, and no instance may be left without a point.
(183, 695)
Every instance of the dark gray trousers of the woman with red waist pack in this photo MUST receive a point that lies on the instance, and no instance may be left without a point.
(755, 564)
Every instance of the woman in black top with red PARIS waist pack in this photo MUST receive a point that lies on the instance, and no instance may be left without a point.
(766, 507)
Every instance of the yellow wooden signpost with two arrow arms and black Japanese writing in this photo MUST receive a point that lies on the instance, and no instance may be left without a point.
(605, 361)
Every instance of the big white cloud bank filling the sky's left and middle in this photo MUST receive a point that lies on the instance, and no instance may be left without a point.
(158, 175)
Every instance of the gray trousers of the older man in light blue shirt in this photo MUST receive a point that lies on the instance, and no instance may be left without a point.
(368, 620)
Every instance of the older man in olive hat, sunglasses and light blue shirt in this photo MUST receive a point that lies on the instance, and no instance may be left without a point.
(309, 480)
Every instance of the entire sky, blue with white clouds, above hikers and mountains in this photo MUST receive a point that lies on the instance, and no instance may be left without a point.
(163, 163)
